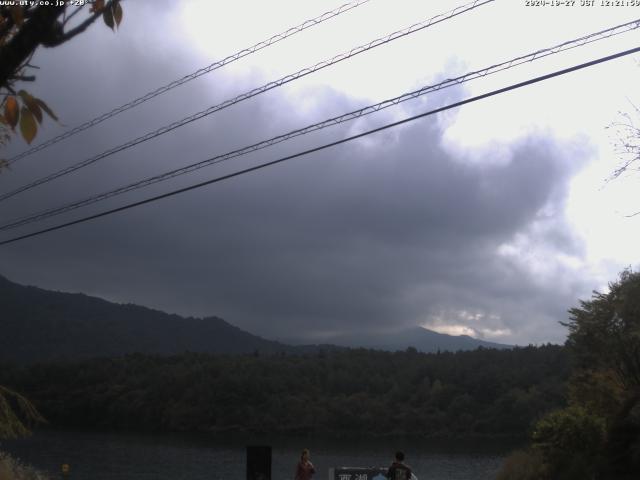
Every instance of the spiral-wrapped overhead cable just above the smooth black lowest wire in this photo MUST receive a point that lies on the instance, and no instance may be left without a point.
(538, 54)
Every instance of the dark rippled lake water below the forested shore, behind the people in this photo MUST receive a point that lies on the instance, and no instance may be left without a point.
(114, 456)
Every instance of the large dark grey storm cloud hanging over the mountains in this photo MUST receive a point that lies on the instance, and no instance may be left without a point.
(392, 231)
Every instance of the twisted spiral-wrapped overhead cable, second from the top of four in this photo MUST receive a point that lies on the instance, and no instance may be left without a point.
(252, 93)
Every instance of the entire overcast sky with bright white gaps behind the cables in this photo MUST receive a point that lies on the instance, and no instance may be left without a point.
(489, 220)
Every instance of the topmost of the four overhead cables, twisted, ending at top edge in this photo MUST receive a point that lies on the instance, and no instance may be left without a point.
(192, 76)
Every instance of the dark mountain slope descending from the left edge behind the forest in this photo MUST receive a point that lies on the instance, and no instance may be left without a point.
(37, 324)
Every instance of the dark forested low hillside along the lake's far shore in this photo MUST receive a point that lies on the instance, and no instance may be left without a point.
(482, 392)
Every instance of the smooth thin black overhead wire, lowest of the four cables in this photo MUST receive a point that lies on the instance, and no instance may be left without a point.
(327, 145)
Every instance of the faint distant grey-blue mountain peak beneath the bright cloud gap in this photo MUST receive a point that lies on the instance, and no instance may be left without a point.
(422, 339)
